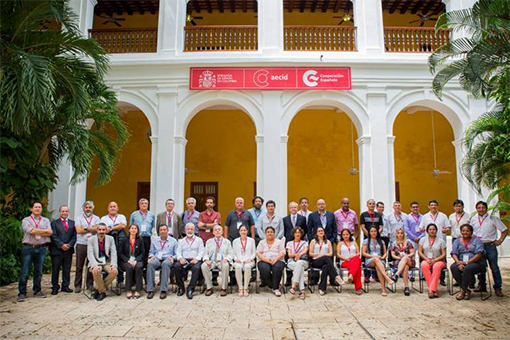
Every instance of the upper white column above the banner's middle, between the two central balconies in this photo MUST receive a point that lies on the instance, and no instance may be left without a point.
(270, 26)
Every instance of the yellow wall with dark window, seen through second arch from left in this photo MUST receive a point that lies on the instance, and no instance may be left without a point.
(221, 147)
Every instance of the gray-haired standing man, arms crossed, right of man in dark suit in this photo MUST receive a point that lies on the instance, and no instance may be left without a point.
(86, 226)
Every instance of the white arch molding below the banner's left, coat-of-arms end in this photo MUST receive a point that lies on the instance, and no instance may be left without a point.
(197, 102)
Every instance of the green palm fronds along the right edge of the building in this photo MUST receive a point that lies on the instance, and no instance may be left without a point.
(481, 62)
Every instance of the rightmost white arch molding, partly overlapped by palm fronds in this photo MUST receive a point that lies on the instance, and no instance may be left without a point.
(454, 111)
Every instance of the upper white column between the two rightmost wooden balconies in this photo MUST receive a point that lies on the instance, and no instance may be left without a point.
(370, 29)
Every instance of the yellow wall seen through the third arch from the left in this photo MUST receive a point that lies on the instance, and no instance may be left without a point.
(319, 158)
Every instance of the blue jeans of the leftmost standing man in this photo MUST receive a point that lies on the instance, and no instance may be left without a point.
(31, 255)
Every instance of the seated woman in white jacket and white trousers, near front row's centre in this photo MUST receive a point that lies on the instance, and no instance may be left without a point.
(244, 260)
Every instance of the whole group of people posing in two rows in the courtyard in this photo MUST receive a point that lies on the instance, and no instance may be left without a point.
(258, 239)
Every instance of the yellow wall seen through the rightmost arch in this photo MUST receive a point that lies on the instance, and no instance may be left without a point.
(414, 160)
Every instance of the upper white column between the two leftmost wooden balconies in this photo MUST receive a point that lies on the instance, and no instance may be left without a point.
(172, 19)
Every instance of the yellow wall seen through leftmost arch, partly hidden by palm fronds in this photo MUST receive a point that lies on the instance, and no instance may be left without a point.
(134, 167)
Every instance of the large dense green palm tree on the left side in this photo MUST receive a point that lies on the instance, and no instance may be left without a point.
(54, 102)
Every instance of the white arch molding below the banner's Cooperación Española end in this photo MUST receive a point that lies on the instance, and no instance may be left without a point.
(337, 99)
